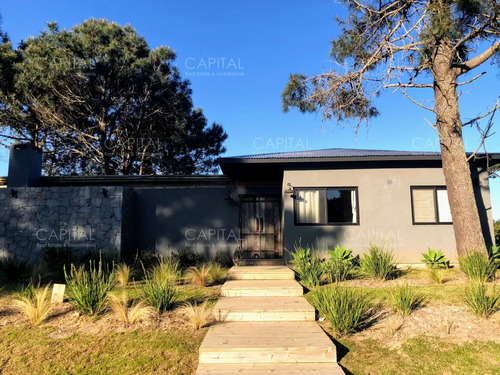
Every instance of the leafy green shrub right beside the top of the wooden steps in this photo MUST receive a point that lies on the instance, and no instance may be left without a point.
(309, 267)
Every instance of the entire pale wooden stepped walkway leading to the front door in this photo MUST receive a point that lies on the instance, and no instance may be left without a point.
(266, 327)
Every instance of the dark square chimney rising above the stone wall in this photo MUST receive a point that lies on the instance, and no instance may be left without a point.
(25, 165)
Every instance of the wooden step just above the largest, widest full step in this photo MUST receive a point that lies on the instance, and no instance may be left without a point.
(264, 309)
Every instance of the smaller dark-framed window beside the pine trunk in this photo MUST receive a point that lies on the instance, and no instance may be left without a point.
(430, 205)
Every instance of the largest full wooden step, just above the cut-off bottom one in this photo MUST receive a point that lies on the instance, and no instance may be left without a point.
(267, 342)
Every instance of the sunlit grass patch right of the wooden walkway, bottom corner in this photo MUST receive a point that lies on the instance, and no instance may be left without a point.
(422, 355)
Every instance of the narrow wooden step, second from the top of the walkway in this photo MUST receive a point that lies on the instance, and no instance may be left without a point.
(261, 288)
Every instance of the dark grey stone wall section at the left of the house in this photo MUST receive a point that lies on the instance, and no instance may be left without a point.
(82, 219)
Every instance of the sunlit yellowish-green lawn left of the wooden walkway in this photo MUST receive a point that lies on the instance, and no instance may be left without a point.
(145, 351)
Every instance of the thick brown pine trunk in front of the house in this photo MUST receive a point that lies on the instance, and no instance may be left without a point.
(466, 224)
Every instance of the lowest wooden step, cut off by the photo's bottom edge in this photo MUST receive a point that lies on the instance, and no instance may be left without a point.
(271, 369)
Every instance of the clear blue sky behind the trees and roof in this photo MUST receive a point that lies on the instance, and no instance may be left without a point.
(238, 55)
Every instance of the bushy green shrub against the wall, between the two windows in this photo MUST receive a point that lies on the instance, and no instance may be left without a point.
(378, 263)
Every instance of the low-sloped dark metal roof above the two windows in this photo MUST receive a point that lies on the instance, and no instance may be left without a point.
(341, 154)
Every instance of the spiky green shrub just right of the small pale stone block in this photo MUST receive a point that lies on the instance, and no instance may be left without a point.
(88, 289)
